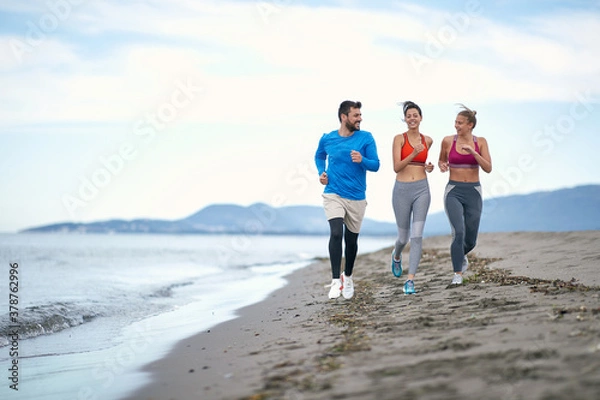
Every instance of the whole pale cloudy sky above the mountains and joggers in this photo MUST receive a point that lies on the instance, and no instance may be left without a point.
(155, 109)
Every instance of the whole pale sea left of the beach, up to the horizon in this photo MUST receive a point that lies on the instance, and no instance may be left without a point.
(81, 314)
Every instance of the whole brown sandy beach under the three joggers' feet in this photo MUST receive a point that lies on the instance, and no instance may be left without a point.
(524, 325)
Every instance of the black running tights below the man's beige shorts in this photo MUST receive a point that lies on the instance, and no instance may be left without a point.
(338, 231)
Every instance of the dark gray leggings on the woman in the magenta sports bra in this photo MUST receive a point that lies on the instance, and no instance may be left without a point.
(463, 204)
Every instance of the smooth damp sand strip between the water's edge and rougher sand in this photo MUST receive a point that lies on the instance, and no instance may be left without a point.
(217, 355)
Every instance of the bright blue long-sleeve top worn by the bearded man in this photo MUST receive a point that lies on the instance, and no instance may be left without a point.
(347, 179)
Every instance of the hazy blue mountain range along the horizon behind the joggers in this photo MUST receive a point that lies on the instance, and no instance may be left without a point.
(571, 209)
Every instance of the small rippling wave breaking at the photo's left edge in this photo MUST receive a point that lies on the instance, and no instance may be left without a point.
(44, 320)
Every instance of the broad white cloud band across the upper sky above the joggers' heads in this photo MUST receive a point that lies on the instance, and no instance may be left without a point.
(256, 64)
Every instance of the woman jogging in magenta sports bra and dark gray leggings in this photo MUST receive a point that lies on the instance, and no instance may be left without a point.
(463, 155)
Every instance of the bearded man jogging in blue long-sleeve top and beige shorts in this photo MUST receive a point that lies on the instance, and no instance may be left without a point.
(343, 158)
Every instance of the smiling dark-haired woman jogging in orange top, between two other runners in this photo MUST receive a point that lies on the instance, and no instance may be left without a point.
(411, 196)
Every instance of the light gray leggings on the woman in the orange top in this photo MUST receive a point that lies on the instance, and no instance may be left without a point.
(411, 198)
